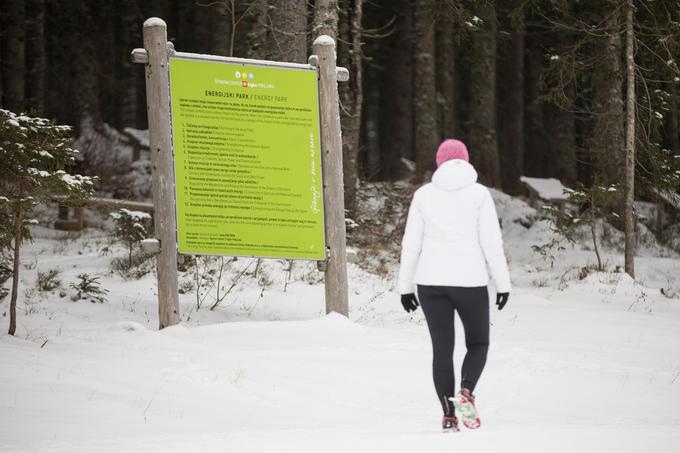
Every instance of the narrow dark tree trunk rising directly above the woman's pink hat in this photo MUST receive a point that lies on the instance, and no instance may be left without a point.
(445, 73)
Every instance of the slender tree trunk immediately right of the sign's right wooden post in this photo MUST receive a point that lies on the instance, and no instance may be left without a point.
(351, 97)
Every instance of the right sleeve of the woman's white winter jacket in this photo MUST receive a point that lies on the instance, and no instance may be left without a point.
(491, 241)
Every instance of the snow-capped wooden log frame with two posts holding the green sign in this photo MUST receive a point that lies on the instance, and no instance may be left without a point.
(155, 55)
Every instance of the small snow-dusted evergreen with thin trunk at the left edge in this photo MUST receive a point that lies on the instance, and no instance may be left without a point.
(34, 154)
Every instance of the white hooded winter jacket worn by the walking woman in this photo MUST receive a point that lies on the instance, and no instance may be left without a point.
(452, 233)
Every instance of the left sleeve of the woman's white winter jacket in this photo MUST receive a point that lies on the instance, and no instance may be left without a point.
(411, 246)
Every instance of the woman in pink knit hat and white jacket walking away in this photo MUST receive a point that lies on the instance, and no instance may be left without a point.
(452, 235)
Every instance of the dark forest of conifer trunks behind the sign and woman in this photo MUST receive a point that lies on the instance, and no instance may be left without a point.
(534, 87)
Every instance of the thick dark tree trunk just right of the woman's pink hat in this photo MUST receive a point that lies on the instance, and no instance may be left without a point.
(481, 133)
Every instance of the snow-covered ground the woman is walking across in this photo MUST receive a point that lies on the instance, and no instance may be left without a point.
(588, 365)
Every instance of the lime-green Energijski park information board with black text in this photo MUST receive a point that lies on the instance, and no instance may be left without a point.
(247, 159)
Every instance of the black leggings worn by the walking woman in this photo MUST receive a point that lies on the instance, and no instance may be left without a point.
(472, 304)
